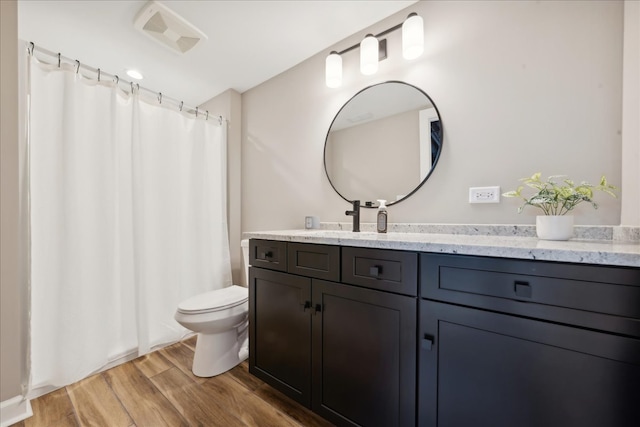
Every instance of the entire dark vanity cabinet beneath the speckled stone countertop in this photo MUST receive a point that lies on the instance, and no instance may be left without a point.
(372, 337)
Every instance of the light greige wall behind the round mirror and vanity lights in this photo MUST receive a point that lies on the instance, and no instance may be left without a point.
(521, 87)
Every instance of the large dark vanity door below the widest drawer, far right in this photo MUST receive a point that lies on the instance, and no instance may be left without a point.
(488, 369)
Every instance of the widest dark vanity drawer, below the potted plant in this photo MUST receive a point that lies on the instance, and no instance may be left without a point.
(505, 284)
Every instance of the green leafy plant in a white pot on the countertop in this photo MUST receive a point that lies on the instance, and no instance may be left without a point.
(556, 197)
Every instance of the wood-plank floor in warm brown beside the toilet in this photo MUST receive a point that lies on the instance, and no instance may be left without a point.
(159, 389)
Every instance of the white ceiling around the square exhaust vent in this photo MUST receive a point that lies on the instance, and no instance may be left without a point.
(248, 43)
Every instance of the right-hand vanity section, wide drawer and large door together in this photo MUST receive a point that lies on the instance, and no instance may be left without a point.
(527, 343)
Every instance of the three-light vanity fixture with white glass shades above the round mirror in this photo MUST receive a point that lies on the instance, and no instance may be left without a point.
(373, 49)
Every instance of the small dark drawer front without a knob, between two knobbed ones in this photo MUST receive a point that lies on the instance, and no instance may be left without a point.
(317, 261)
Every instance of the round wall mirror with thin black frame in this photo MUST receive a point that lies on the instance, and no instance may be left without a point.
(383, 144)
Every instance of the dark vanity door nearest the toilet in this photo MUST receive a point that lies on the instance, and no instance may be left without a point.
(280, 331)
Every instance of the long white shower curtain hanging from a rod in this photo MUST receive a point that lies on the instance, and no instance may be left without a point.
(127, 218)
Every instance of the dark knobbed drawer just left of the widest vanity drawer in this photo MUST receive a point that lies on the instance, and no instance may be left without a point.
(393, 271)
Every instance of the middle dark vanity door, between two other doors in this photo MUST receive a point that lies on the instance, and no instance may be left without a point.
(364, 356)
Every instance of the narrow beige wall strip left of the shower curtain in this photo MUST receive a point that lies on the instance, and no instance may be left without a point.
(11, 309)
